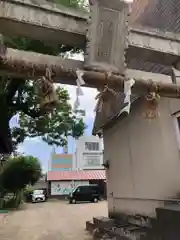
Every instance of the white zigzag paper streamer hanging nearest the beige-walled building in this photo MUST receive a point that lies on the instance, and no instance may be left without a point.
(127, 91)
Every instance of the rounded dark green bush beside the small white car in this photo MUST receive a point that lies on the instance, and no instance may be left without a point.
(18, 172)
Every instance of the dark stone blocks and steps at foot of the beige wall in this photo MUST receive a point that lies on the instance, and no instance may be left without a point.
(164, 227)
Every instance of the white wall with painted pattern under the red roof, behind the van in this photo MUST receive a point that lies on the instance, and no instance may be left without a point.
(65, 187)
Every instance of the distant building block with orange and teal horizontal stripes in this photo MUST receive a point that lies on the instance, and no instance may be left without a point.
(61, 162)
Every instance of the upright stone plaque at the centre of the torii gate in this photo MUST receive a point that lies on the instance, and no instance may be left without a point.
(107, 36)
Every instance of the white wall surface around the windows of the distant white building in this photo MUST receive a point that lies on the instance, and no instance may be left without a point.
(78, 159)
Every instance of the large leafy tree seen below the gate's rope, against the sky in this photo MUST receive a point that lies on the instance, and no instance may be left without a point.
(20, 98)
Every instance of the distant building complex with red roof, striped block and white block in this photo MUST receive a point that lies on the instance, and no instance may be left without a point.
(84, 167)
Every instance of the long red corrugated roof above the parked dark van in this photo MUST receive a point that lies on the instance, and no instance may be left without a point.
(77, 175)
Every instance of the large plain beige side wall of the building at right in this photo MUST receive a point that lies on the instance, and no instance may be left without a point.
(144, 161)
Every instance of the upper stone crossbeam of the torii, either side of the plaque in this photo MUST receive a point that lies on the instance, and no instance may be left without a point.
(68, 26)
